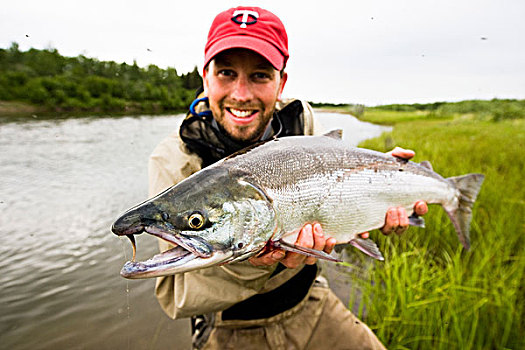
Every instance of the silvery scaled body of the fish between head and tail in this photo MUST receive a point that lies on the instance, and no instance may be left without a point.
(346, 190)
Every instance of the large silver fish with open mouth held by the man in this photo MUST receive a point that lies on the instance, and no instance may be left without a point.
(263, 195)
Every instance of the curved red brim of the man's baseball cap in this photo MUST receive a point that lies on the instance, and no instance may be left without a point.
(263, 48)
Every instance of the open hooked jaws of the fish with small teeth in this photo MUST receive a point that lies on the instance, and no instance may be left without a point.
(188, 253)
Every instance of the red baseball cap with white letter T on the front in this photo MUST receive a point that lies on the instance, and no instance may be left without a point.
(250, 28)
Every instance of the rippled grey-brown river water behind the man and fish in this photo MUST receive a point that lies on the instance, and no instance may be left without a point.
(62, 184)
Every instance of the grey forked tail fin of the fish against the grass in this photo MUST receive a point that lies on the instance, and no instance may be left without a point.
(468, 186)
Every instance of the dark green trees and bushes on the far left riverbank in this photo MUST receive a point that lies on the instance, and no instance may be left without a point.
(53, 82)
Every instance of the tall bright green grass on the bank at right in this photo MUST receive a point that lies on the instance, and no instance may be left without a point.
(430, 293)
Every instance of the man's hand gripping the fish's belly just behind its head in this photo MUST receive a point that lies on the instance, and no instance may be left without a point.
(310, 236)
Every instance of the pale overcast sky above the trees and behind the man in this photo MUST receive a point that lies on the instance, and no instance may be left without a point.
(368, 51)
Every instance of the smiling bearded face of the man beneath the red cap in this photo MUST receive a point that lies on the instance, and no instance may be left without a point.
(242, 88)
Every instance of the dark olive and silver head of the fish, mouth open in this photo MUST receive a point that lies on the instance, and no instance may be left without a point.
(236, 220)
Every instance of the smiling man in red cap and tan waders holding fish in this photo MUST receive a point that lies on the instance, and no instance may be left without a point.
(272, 301)
